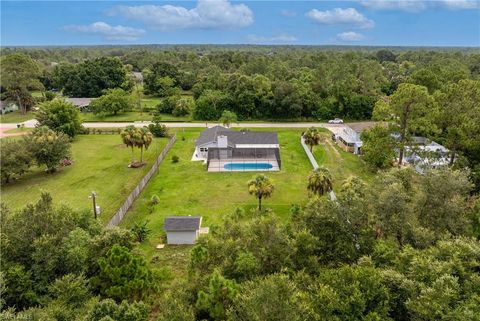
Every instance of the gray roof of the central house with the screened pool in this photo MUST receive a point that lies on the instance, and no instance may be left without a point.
(236, 137)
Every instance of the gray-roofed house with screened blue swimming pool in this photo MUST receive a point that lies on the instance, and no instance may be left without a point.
(224, 150)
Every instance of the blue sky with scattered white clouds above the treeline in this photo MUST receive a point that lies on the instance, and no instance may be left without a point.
(358, 22)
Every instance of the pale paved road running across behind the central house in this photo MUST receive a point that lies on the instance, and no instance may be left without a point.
(32, 123)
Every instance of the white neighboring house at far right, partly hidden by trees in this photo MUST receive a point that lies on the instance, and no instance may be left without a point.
(425, 154)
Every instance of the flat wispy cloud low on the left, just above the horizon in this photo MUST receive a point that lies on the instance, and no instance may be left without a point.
(107, 31)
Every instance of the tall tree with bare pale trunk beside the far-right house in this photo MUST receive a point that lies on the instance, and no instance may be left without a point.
(412, 109)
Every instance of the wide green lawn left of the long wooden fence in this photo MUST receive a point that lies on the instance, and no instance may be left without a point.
(100, 164)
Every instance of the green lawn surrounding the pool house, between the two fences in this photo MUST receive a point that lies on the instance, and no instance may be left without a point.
(186, 188)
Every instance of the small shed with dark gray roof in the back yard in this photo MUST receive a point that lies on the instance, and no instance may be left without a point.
(182, 229)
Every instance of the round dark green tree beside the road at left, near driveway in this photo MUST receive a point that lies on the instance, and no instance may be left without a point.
(60, 116)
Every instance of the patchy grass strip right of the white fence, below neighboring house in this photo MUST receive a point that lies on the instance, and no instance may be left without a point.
(340, 163)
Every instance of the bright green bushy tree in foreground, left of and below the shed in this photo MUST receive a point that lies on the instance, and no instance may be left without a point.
(123, 276)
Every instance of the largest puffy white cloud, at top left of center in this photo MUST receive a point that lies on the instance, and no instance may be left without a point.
(208, 14)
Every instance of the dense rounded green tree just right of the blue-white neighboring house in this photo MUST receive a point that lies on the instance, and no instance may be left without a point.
(378, 147)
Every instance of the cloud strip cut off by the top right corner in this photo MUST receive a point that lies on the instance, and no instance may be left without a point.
(419, 5)
